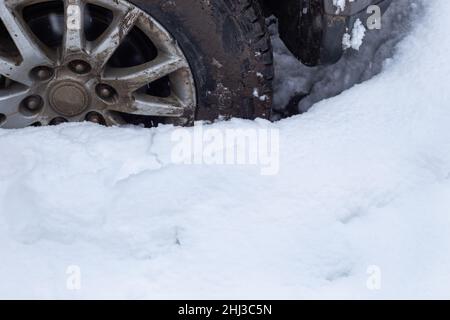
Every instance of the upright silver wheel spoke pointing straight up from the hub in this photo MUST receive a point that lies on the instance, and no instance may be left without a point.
(74, 38)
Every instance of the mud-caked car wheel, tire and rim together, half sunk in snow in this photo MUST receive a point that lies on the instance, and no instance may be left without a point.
(132, 62)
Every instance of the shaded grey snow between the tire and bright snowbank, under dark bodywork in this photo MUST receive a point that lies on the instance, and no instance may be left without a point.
(355, 67)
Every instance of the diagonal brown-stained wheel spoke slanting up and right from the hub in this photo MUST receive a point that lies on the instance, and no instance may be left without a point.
(108, 43)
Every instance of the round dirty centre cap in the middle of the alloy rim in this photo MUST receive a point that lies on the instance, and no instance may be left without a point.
(69, 98)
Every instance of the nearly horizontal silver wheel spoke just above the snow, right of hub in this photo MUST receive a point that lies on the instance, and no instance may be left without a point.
(146, 105)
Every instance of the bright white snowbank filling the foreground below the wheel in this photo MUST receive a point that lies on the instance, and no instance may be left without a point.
(364, 185)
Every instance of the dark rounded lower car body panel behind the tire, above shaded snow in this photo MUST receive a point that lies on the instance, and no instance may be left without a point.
(313, 29)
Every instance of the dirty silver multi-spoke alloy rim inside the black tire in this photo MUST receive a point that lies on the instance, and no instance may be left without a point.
(75, 80)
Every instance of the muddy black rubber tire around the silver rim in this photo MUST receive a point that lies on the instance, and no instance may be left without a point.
(228, 48)
